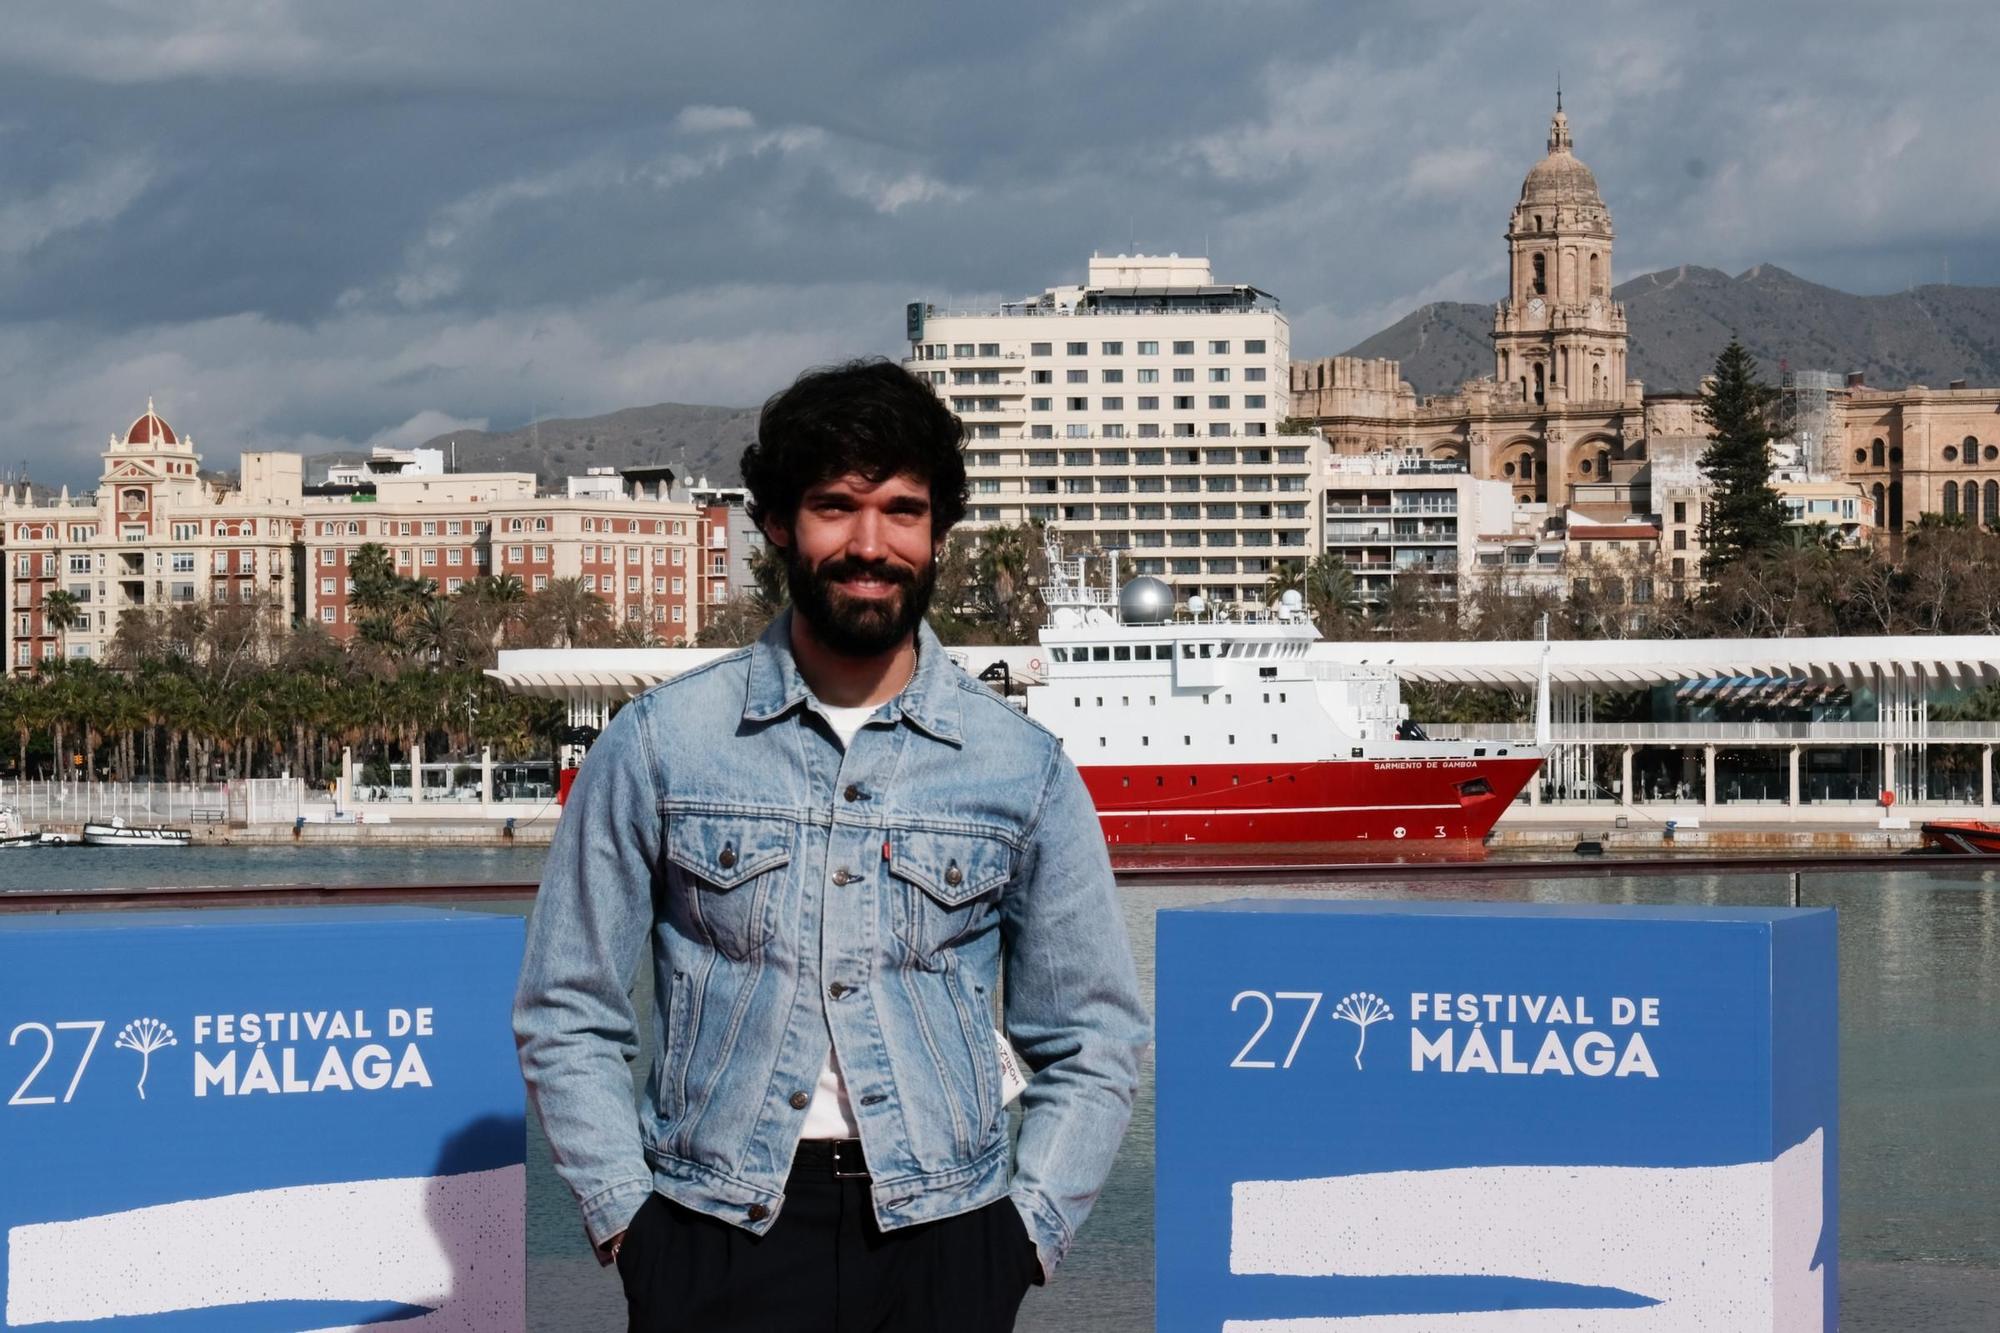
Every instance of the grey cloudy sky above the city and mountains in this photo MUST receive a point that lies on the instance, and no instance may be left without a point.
(307, 225)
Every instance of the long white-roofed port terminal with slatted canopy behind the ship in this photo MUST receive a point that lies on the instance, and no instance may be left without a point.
(1749, 730)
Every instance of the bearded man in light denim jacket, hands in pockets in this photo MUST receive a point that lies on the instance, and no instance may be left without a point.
(833, 842)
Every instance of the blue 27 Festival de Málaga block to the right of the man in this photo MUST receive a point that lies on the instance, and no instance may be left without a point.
(1493, 1118)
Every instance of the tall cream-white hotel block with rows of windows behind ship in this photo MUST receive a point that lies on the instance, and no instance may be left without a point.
(1137, 411)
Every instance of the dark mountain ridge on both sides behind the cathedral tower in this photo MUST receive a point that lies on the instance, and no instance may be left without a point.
(1681, 317)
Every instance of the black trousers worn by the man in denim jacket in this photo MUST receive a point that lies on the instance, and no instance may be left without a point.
(825, 1268)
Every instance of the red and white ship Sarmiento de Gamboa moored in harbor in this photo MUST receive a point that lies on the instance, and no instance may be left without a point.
(1195, 730)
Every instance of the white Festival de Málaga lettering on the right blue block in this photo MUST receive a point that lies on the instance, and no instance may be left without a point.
(1479, 1034)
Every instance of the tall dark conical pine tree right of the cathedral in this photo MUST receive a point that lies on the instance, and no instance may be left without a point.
(1743, 515)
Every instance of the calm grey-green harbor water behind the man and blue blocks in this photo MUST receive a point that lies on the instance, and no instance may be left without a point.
(1919, 1070)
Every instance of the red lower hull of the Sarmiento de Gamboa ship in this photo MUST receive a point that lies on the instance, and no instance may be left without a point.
(1363, 804)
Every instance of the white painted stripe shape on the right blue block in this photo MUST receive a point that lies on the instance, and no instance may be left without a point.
(1719, 1248)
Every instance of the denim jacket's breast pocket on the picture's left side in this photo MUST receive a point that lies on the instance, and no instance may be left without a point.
(729, 872)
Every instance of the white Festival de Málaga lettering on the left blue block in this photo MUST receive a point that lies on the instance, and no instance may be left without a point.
(277, 1064)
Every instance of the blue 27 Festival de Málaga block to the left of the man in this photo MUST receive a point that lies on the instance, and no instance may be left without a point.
(261, 1120)
